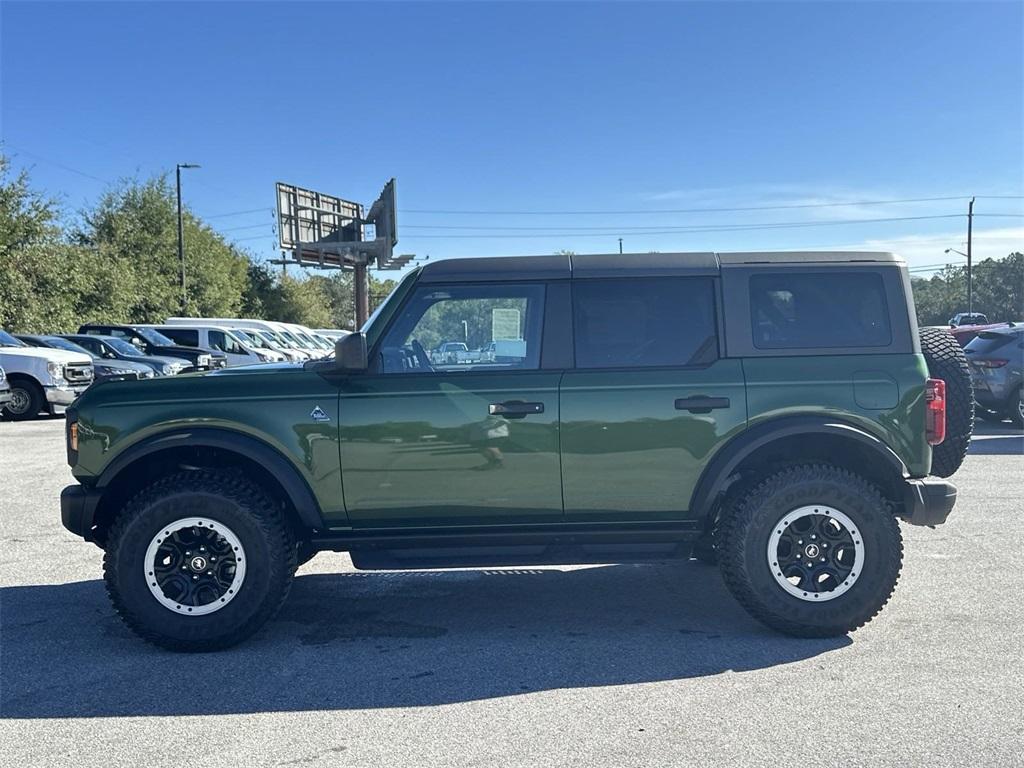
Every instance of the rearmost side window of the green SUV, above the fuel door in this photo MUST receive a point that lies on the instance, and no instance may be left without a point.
(802, 311)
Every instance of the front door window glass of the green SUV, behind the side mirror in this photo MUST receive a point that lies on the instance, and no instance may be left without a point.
(466, 328)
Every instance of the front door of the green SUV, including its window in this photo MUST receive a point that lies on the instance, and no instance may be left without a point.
(456, 423)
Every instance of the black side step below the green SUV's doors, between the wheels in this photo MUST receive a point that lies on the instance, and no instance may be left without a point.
(517, 556)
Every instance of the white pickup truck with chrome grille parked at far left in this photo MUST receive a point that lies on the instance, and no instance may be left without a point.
(41, 379)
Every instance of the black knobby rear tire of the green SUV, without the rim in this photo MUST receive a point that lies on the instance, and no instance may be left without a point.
(747, 529)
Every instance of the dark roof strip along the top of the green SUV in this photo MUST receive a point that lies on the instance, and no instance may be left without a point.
(628, 265)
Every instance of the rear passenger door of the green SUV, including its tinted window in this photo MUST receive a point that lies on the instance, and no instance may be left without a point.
(650, 400)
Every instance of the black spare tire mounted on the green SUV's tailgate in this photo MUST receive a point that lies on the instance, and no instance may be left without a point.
(947, 361)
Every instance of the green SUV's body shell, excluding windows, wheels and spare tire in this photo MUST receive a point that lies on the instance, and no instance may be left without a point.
(359, 452)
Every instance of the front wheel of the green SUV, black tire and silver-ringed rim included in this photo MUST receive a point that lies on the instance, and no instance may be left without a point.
(199, 562)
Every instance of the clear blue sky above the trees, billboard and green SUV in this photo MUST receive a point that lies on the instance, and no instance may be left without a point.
(530, 110)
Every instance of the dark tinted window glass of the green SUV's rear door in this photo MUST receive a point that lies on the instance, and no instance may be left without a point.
(644, 323)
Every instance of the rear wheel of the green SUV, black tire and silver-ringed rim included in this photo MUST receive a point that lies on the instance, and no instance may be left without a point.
(812, 551)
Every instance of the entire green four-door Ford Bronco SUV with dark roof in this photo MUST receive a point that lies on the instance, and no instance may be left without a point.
(772, 412)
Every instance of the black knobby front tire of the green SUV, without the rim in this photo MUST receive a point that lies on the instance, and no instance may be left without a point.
(232, 501)
